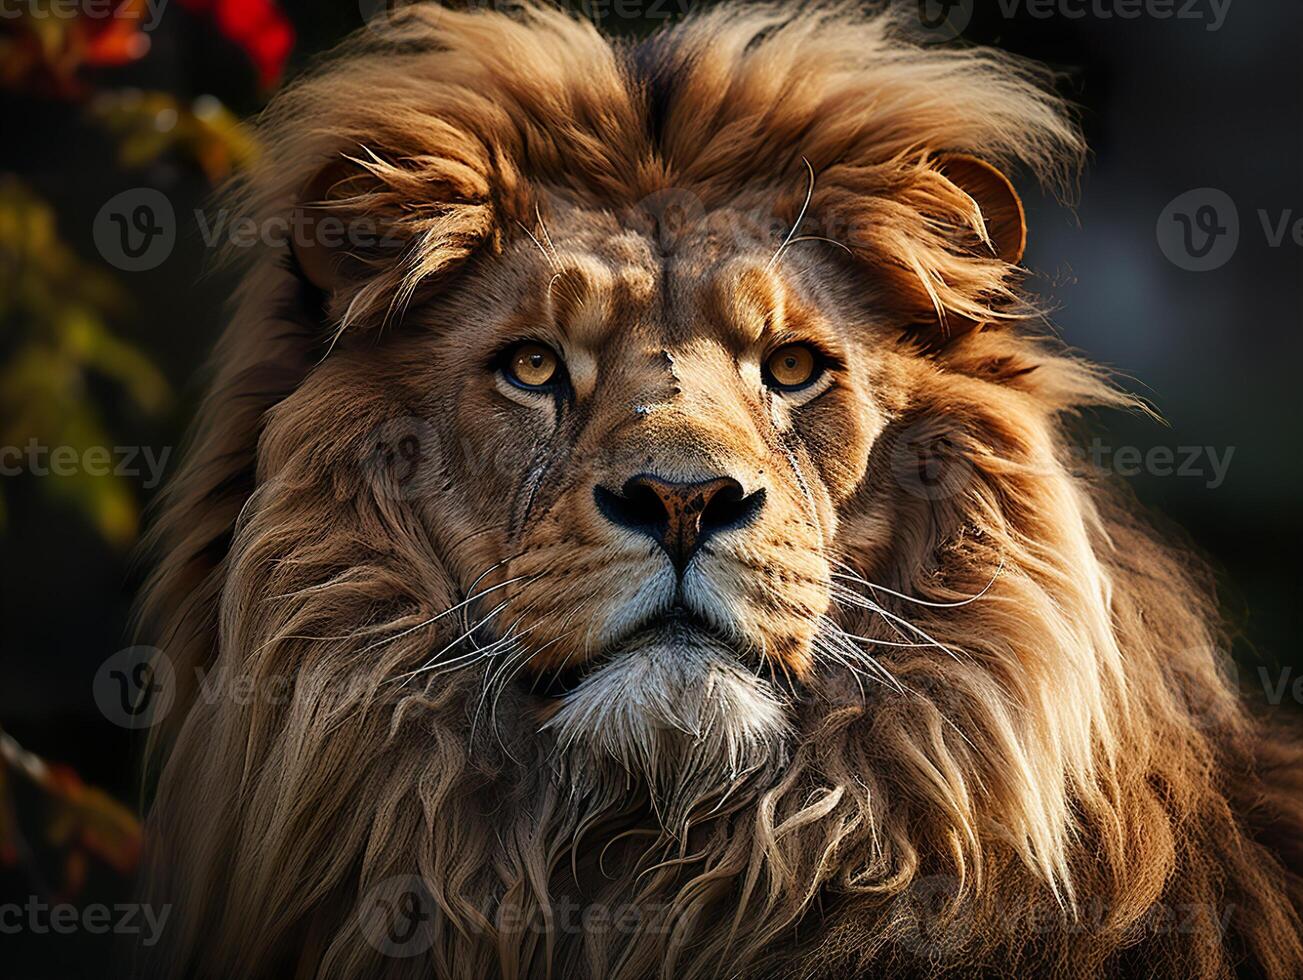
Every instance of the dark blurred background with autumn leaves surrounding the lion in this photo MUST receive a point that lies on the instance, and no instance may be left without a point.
(1180, 269)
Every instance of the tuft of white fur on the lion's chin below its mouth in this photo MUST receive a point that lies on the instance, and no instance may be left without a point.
(676, 708)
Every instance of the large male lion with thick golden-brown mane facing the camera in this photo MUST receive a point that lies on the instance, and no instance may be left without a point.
(634, 532)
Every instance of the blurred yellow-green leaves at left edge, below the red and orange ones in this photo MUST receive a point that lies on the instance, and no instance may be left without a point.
(55, 312)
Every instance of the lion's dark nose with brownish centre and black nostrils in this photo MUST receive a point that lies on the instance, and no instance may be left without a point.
(680, 517)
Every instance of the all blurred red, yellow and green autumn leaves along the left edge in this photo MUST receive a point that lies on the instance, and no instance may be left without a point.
(67, 379)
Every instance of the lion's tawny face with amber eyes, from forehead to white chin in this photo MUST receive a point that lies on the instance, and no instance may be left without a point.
(648, 458)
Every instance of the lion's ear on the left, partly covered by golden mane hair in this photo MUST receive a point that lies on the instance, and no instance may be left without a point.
(371, 233)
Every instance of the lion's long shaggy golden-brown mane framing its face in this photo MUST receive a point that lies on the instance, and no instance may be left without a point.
(1061, 781)
